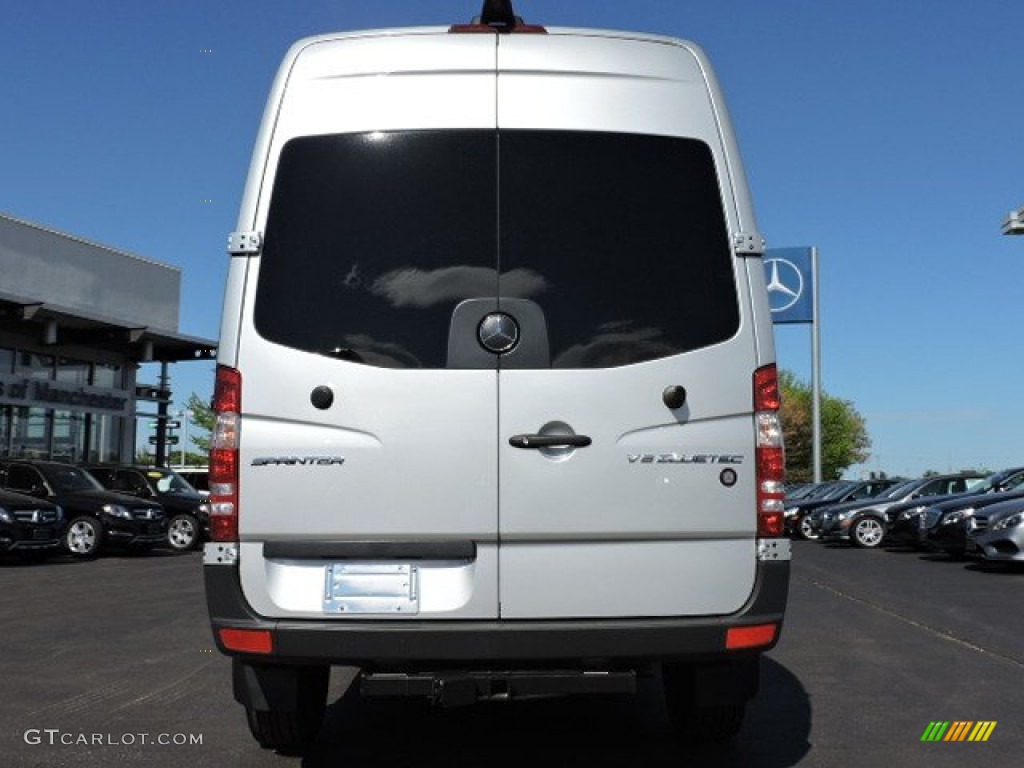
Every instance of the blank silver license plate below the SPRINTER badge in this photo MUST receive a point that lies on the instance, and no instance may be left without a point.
(371, 588)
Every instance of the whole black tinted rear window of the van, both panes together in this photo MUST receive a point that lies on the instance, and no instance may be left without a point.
(373, 240)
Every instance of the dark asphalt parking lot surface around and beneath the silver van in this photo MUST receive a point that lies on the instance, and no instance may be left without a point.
(111, 663)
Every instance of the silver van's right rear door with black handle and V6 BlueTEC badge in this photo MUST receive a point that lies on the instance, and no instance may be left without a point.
(616, 199)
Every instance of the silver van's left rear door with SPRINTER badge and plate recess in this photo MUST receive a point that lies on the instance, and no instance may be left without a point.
(379, 220)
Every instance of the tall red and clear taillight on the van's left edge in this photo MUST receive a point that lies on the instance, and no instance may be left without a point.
(225, 456)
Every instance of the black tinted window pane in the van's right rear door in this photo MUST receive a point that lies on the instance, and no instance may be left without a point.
(629, 235)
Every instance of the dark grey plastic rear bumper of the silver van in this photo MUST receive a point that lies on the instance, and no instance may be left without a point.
(397, 645)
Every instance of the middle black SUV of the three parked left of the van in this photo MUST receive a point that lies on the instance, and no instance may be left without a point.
(96, 517)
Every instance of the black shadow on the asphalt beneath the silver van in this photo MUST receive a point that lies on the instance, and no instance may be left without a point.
(560, 732)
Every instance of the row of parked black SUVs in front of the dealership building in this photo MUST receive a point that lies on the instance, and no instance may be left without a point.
(52, 507)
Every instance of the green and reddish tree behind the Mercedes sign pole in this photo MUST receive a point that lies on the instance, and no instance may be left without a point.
(844, 433)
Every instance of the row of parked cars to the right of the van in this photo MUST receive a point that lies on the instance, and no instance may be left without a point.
(961, 515)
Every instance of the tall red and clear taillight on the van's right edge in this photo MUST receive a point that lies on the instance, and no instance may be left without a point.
(771, 455)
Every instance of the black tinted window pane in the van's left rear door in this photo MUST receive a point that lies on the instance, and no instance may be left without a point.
(372, 240)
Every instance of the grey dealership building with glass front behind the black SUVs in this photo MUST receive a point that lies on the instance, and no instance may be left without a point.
(77, 321)
